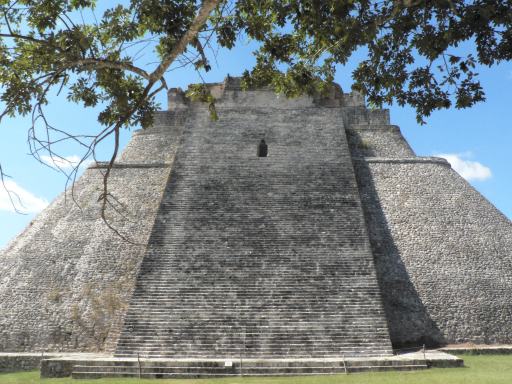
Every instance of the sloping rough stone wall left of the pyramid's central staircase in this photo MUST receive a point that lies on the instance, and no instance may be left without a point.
(65, 281)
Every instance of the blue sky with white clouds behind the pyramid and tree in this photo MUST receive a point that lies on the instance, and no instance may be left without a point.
(476, 141)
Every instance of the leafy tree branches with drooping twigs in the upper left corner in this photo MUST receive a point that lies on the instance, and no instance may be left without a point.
(47, 46)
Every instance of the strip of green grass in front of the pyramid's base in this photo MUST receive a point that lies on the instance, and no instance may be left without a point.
(495, 369)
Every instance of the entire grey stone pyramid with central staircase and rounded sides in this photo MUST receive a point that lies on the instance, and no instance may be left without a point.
(339, 242)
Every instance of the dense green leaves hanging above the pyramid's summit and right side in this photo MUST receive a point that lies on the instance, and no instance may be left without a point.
(411, 46)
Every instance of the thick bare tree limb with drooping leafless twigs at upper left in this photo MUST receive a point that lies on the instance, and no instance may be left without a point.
(53, 136)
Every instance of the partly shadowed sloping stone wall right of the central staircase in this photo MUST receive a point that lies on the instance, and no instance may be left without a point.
(443, 253)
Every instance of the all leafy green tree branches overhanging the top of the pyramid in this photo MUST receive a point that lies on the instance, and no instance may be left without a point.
(412, 46)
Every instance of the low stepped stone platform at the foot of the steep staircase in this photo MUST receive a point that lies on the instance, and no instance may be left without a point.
(89, 366)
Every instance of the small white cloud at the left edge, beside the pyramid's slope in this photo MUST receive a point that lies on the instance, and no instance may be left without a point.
(24, 201)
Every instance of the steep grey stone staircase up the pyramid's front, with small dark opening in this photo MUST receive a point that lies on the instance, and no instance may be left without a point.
(261, 257)
